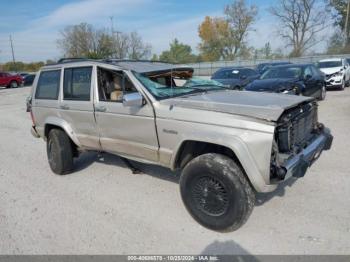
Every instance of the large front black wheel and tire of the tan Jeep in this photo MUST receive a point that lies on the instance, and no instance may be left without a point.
(216, 192)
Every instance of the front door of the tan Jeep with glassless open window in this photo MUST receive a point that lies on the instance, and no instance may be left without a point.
(125, 130)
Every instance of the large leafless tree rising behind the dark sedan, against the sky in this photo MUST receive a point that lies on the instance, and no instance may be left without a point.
(301, 22)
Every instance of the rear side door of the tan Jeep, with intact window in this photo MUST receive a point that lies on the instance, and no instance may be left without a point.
(76, 106)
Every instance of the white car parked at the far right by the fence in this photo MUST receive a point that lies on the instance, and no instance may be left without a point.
(337, 72)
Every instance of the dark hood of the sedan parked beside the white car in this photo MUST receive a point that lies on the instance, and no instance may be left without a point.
(271, 85)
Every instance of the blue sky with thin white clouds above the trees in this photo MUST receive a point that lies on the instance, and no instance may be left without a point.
(35, 24)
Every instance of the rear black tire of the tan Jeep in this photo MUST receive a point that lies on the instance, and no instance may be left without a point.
(59, 152)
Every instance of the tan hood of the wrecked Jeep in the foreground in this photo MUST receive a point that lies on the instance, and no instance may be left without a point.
(267, 106)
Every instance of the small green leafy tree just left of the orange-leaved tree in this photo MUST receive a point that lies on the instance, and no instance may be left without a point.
(178, 53)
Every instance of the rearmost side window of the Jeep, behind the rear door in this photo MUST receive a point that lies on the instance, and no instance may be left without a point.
(48, 85)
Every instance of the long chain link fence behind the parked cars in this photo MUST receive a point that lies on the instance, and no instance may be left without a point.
(208, 68)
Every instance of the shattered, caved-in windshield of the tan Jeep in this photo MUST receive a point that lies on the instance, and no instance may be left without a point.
(172, 84)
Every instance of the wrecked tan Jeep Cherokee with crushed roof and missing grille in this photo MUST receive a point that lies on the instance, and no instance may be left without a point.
(229, 144)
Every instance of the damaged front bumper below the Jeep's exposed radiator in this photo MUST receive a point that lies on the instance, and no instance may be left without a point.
(298, 165)
